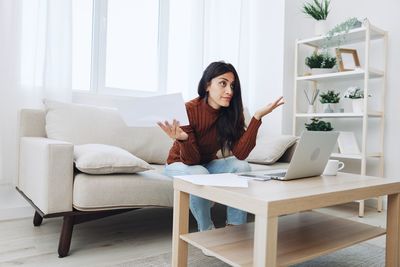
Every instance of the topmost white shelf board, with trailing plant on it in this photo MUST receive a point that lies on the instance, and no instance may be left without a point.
(352, 37)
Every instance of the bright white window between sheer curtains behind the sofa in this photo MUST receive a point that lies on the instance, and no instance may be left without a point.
(120, 47)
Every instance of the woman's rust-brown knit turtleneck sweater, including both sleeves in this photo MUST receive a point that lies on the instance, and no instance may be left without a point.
(201, 147)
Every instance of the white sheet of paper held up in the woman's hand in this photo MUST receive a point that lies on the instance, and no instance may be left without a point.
(147, 111)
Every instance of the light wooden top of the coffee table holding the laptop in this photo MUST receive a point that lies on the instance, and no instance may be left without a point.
(274, 198)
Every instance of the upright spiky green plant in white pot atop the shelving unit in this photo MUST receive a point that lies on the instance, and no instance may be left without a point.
(319, 11)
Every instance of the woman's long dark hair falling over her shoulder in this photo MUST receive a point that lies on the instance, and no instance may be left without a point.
(230, 123)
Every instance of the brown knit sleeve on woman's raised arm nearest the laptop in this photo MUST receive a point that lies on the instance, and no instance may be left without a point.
(246, 143)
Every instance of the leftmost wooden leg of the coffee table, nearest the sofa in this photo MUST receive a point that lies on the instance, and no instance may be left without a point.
(180, 226)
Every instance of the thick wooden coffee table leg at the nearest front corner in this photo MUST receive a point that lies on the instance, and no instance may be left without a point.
(265, 241)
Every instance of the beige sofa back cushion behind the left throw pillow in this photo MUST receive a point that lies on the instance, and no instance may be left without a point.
(84, 124)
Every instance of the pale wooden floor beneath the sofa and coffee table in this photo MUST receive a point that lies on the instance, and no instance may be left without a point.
(116, 239)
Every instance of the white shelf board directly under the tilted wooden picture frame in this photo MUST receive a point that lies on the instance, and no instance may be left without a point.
(353, 75)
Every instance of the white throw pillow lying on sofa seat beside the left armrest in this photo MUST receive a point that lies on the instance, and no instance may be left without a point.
(105, 159)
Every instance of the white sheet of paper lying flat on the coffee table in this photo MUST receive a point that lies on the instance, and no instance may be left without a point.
(220, 179)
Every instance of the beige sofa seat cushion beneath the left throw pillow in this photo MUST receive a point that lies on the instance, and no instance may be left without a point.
(113, 191)
